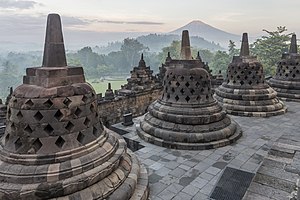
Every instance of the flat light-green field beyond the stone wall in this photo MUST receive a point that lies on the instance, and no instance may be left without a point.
(101, 86)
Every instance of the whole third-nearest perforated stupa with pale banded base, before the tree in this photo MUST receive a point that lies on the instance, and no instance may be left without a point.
(244, 91)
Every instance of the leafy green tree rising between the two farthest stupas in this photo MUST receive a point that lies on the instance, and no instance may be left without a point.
(269, 48)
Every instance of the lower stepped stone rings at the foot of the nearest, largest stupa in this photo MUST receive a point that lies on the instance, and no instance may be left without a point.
(120, 176)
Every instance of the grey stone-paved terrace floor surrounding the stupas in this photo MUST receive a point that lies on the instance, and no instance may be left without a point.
(269, 149)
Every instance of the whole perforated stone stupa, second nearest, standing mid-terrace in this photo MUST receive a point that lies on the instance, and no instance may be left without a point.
(187, 116)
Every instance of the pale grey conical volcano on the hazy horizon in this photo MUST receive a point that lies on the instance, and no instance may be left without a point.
(210, 33)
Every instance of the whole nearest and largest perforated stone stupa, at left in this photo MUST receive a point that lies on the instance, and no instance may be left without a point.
(55, 146)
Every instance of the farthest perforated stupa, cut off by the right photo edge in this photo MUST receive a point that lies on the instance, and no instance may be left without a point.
(286, 82)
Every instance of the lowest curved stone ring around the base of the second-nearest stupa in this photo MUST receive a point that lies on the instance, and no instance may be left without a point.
(190, 146)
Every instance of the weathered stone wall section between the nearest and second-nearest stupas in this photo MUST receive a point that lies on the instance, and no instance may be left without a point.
(112, 111)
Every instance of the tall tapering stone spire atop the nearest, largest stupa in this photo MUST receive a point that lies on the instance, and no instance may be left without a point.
(54, 49)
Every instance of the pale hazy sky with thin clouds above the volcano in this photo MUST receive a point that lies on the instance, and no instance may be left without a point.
(19, 19)
